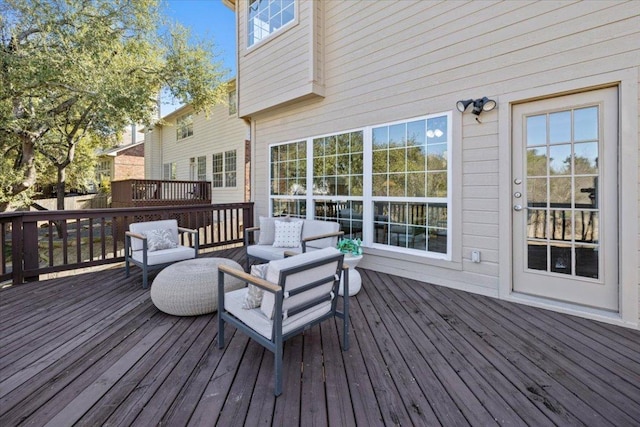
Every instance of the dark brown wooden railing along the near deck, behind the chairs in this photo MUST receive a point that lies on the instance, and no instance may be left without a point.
(35, 243)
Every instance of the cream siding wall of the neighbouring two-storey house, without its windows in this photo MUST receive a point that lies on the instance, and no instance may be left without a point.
(216, 133)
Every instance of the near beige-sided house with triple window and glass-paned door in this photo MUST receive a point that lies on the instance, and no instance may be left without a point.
(353, 111)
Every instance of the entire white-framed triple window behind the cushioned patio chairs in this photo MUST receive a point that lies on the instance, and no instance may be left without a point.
(388, 184)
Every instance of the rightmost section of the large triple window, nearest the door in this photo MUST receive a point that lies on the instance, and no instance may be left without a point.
(410, 182)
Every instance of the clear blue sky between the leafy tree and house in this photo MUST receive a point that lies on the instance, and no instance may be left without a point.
(206, 19)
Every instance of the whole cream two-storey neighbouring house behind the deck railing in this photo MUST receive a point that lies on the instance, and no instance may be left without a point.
(195, 147)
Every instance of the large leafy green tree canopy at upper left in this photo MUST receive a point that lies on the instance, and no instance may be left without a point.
(72, 68)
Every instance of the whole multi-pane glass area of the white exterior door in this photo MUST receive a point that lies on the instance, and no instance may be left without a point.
(562, 192)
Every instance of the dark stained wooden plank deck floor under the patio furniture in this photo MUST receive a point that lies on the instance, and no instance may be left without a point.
(91, 349)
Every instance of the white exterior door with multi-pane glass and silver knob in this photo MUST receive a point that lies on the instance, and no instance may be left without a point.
(565, 198)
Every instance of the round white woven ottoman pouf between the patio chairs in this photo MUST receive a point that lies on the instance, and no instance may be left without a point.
(190, 288)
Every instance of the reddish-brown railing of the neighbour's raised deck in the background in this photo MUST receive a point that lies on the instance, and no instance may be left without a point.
(151, 192)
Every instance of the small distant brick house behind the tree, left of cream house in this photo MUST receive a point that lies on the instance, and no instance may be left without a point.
(121, 162)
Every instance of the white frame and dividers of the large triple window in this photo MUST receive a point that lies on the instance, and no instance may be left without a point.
(305, 204)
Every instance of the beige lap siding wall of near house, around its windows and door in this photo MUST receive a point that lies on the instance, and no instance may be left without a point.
(387, 61)
